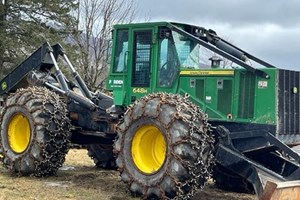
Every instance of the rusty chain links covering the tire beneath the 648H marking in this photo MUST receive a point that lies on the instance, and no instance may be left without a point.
(199, 138)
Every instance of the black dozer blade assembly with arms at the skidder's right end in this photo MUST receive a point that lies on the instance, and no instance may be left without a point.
(270, 166)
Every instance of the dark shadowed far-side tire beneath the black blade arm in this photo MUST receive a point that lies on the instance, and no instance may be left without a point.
(228, 180)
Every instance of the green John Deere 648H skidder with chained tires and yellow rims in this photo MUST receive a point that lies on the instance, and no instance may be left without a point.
(186, 105)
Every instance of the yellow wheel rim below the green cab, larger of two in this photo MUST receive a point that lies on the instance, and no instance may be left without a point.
(148, 149)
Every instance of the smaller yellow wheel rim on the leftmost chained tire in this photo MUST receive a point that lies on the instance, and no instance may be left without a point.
(18, 133)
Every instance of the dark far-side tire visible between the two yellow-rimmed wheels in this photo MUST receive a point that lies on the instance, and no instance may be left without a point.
(102, 155)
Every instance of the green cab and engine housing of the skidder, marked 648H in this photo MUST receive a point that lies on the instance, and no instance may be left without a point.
(186, 59)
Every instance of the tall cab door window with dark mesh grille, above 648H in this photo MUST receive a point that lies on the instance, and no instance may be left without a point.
(142, 58)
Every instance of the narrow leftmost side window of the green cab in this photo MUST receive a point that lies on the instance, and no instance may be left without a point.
(121, 51)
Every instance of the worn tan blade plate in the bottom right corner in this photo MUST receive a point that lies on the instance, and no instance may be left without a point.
(289, 190)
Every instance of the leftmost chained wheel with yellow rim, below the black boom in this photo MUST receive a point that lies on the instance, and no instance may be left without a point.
(34, 132)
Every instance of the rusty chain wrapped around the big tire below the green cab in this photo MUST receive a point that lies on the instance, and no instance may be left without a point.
(193, 116)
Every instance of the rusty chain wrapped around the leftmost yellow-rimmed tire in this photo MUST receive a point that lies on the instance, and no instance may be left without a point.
(56, 146)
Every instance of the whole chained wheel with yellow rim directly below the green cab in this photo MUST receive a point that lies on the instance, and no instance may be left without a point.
(164, 147)
